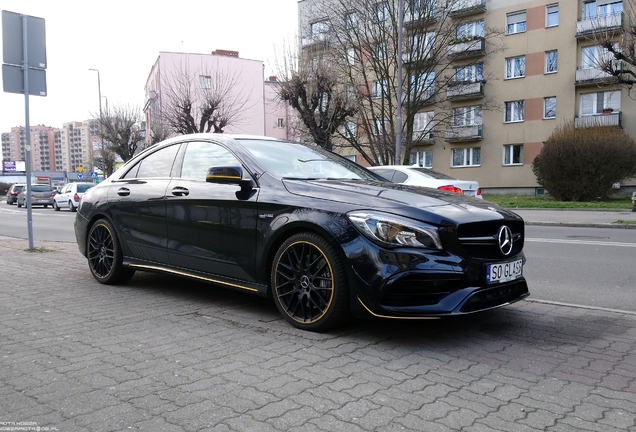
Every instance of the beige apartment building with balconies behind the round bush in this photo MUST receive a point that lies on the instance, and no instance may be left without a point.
(509, 100)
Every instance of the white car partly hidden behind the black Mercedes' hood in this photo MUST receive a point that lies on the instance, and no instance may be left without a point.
(418, 176)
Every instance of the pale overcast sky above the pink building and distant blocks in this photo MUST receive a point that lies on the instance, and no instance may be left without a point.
(123, 39)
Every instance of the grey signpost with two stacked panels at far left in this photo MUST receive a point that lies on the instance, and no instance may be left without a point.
(23, 71)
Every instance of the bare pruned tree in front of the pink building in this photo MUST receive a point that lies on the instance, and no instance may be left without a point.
(202, 100)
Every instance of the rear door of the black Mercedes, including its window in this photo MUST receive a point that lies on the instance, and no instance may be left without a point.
(137, 206)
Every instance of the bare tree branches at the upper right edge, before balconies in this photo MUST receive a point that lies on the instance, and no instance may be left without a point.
(613, 29)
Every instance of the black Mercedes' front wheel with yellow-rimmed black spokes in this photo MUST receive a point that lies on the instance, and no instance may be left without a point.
(309, 283)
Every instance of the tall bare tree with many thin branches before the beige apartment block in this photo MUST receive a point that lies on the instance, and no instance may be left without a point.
(440, 52)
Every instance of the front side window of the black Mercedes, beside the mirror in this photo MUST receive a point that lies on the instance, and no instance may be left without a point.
(200, 156)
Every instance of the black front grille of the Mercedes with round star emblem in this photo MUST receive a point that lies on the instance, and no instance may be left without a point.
(479, 240)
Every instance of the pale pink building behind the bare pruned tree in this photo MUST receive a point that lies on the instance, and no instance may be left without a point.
(250, 100)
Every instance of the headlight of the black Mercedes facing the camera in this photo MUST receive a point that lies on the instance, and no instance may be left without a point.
(394, 231)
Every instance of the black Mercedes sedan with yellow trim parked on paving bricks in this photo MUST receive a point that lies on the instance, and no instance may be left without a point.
(321, 235)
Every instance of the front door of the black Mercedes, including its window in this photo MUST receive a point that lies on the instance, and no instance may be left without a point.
(211, 227)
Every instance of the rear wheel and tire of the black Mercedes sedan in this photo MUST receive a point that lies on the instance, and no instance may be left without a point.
(105, 255)
